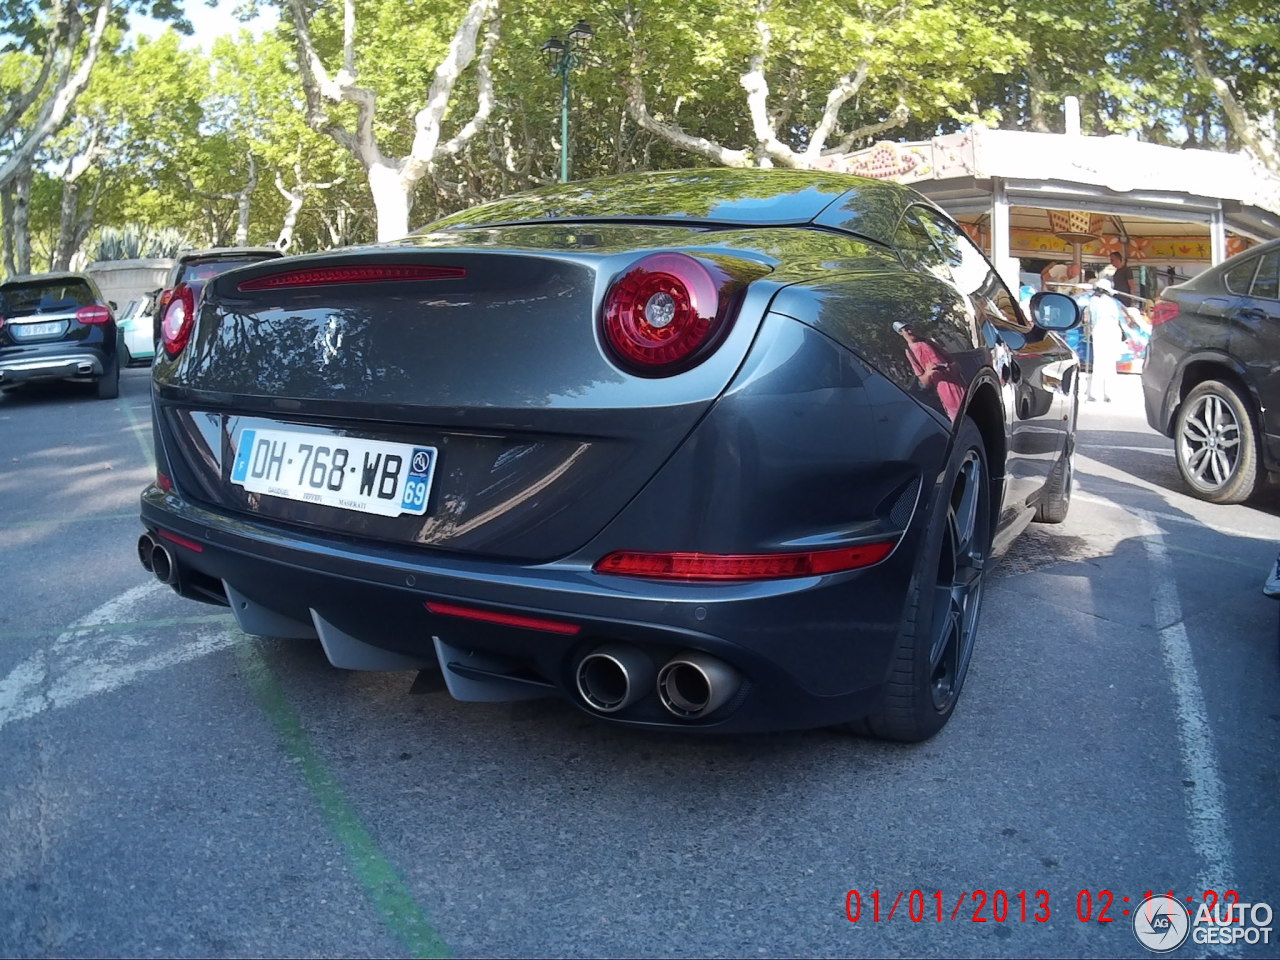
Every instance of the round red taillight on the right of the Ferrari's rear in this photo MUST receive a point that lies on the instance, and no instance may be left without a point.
(665, 314)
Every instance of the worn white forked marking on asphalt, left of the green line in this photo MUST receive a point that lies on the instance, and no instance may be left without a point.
(84, 662)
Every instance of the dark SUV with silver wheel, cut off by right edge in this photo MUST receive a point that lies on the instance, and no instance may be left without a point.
(1213, 376)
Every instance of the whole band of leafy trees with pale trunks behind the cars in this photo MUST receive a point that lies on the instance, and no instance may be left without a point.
(354, 120)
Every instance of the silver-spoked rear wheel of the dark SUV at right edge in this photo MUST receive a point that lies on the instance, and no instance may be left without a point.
(1217, 444)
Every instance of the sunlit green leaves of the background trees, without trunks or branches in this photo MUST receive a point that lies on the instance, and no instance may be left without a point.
(180, 129)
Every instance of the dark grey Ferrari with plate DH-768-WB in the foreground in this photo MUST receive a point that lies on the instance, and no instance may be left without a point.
(714, 450)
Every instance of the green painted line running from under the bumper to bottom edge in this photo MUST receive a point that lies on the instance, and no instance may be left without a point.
(382, 883)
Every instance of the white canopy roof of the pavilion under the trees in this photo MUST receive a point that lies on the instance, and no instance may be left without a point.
(1187, 200)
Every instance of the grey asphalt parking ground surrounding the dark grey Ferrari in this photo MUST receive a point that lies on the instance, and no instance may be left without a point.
(170, 787)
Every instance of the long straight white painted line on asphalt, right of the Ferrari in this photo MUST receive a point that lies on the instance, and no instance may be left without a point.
(1206, 796)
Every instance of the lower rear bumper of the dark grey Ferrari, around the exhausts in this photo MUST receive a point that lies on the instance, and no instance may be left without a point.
(808, 652)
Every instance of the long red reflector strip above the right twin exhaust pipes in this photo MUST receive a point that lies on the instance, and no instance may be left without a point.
(743, 566)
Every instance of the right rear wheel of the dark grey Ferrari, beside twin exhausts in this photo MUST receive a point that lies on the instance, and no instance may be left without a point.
(935, 644)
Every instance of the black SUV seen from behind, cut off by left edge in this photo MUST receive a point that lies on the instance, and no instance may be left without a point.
(58, 327)
